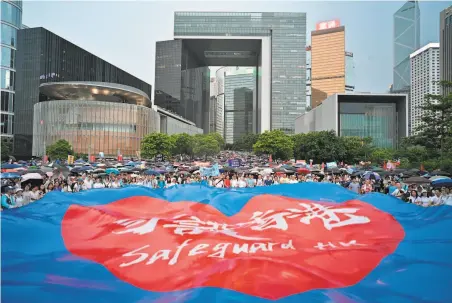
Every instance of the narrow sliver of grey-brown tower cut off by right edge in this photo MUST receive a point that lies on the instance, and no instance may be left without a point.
(445, 45)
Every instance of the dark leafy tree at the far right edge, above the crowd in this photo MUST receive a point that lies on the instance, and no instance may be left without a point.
(435, 131)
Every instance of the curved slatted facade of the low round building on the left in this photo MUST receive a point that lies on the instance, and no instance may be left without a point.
(93, 126)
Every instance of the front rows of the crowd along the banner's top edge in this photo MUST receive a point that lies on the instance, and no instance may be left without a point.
(15, 194)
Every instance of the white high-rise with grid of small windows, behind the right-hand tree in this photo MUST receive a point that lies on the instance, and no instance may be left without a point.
(425, 70)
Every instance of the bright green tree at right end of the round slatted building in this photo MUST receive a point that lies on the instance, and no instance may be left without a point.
(156, 144)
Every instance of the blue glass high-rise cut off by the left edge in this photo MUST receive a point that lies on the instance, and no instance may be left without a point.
(11, 22)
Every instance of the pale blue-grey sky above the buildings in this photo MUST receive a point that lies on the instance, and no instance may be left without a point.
(124, 32)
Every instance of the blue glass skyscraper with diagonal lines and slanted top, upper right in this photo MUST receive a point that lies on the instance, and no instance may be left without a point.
(406, 41)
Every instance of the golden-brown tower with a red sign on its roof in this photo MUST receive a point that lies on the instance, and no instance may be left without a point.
(327, 60)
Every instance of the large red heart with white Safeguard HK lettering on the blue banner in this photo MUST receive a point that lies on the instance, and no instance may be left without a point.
(274, 247)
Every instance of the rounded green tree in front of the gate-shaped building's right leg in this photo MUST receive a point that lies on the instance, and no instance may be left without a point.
(275, 143)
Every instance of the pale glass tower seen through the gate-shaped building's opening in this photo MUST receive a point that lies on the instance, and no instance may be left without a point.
(239, 106)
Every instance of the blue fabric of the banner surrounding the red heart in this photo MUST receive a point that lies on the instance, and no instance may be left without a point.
(32, 247)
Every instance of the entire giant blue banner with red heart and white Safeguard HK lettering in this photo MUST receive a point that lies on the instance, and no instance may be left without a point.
(308, 242)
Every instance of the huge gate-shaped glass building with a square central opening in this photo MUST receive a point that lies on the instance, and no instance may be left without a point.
(277, 49)
